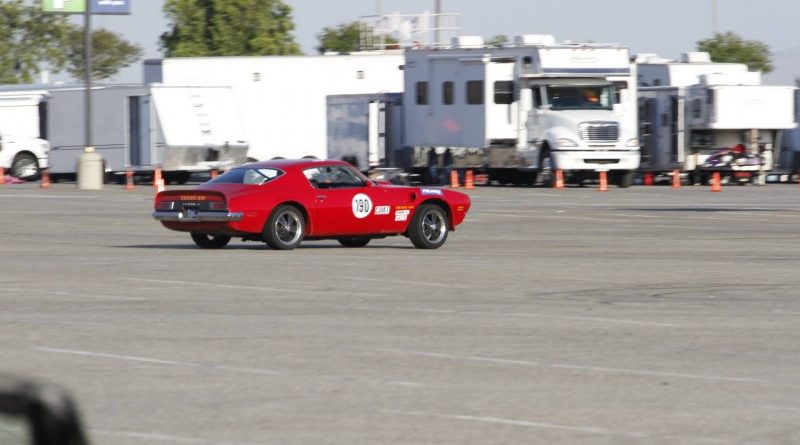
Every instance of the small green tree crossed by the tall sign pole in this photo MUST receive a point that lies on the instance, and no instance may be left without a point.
(110, 53)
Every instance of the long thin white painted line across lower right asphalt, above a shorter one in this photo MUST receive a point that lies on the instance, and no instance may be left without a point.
(624, 371)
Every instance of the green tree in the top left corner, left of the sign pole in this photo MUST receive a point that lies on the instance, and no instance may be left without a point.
(29, 38)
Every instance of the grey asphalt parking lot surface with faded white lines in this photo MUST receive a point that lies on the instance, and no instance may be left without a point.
(640, 316)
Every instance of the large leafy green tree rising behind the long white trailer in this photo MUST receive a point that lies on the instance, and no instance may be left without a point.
(228, 28)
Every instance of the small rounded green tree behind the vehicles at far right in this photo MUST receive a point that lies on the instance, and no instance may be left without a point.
(730, 47)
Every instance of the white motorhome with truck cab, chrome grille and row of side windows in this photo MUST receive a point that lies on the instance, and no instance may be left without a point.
(522, 111)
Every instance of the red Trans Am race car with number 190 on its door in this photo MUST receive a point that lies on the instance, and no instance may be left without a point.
(286, 201)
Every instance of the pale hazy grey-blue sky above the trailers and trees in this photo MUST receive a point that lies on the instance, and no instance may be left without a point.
(666, 27)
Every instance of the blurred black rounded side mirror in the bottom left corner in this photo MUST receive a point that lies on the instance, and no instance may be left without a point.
(34, 413)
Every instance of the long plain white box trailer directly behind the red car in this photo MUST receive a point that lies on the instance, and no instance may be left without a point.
(282, 100)
